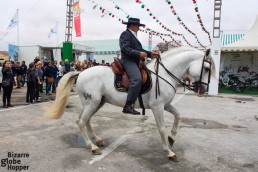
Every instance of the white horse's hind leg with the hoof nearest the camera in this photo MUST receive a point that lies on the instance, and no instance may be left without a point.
(87, 113)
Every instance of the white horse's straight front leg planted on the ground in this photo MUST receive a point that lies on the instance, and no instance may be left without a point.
(158, 114)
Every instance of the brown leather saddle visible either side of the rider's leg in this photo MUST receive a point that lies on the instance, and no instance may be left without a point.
(118, 69)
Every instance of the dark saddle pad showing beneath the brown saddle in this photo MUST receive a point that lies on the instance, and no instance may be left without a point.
(118, 83)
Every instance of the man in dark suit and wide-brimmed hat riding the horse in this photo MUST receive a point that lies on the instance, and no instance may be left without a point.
(132, 52)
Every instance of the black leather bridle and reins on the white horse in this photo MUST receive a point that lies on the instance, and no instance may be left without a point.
(195, 86)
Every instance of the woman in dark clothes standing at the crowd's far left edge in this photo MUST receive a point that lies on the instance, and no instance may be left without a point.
(7, 84)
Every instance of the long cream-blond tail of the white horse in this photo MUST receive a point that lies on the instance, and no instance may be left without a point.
(63, 92)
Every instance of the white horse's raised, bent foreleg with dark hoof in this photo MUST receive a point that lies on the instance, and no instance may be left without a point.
(176, 114)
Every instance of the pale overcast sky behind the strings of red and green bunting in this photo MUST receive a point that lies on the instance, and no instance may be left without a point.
(37, 17)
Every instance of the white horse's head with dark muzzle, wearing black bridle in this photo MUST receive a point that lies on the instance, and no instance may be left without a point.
(199, 73)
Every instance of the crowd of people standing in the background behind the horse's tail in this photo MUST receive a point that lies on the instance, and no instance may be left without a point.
(34, 76)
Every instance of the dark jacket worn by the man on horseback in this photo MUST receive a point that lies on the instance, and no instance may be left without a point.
(130, 47)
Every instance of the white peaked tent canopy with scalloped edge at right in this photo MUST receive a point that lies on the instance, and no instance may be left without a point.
(248, 42)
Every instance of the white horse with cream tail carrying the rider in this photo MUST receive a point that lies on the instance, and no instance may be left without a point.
(95, 87)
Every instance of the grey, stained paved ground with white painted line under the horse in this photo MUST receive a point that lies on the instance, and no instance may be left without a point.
(218, 133)
